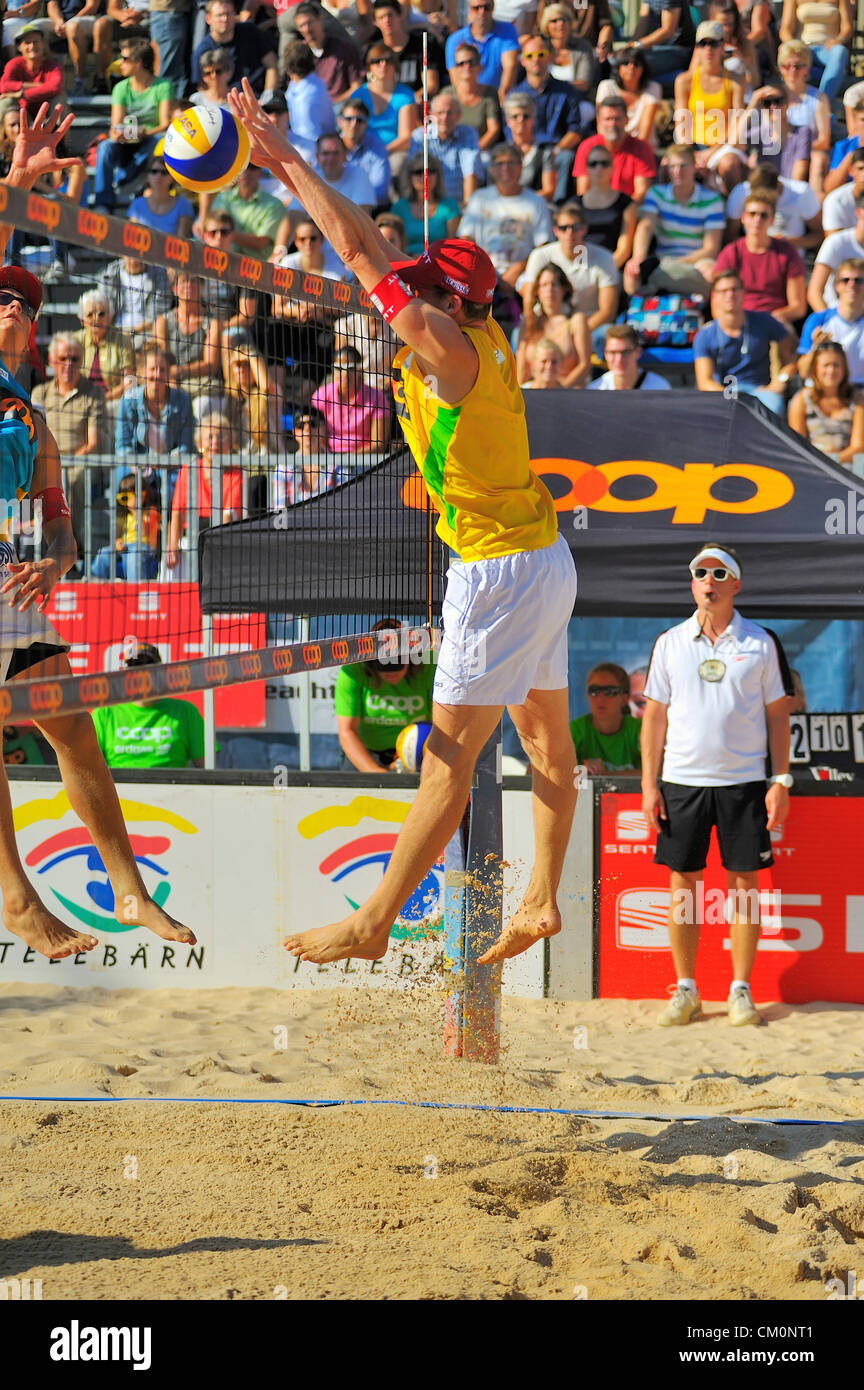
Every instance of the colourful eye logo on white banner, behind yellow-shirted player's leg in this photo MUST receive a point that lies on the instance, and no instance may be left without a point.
(362, 860)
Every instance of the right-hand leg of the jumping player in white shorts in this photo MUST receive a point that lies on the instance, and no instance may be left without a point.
(544, 728)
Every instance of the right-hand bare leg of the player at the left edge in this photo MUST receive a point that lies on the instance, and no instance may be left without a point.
(94, 799)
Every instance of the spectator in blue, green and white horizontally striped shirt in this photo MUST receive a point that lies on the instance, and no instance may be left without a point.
(686, 223)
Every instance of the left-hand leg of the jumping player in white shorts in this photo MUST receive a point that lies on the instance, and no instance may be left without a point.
(459, 732)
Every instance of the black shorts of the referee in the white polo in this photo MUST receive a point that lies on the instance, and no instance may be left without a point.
(742, 828)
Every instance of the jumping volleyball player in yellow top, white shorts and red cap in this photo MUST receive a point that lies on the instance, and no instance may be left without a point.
(510, 593)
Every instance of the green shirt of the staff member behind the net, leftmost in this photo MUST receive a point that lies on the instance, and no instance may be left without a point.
(167, 733)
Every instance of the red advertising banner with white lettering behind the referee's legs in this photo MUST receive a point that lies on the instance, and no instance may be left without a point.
(813, 908)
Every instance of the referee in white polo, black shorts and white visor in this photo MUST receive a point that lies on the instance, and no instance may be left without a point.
(716, 705)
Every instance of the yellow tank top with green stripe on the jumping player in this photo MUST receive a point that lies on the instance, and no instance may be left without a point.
(474, 455)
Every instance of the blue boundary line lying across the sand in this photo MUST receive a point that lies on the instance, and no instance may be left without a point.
(423, 1106)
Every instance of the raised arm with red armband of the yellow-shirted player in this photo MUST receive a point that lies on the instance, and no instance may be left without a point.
(441, 345)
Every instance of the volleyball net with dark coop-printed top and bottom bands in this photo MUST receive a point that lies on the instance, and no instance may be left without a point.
(235, 475)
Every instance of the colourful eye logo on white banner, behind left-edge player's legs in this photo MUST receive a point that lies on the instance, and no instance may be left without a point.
(67, 864)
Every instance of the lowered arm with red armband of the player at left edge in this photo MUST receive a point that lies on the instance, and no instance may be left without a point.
(33, 583)
